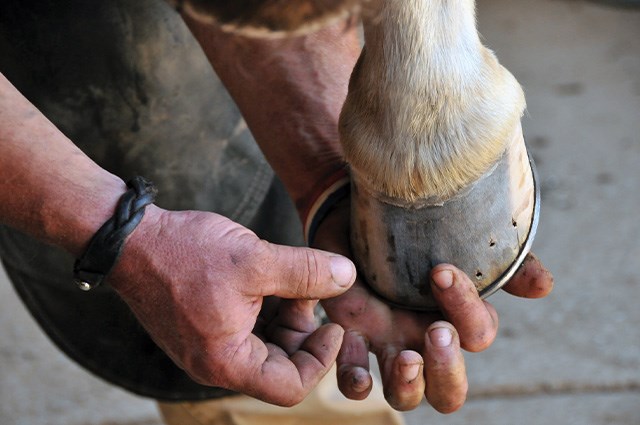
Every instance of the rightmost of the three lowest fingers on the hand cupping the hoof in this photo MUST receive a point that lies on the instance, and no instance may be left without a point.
(445, 370)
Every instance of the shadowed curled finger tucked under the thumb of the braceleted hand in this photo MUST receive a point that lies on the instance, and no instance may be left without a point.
(294, 322)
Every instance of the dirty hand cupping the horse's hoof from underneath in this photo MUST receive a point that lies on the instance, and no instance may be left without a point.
(418, 352)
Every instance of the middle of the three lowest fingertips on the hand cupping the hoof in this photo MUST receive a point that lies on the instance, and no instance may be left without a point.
(403, 379)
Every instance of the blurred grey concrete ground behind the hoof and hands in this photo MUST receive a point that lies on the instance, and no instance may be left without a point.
(573, 358)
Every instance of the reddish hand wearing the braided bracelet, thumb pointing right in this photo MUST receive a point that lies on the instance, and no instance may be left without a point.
(197, 282)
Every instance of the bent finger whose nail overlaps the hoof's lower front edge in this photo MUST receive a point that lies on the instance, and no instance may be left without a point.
(475, 320)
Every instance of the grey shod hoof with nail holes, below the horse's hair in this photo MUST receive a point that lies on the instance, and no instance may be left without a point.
(486, 230)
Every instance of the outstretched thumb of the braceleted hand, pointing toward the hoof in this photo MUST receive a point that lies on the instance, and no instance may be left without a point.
(307, 273)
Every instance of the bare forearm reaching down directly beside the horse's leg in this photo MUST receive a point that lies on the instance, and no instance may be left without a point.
(290, 92)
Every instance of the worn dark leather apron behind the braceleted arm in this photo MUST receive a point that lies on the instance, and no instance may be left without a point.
(126, 82)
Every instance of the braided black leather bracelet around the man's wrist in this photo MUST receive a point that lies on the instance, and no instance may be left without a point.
(93, 267)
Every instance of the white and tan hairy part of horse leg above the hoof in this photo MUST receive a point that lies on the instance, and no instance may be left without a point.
(429, 108)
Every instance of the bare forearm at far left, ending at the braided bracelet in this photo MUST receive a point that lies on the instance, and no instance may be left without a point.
(48, 187)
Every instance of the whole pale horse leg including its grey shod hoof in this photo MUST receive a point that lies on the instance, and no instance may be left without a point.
(431, 129)
